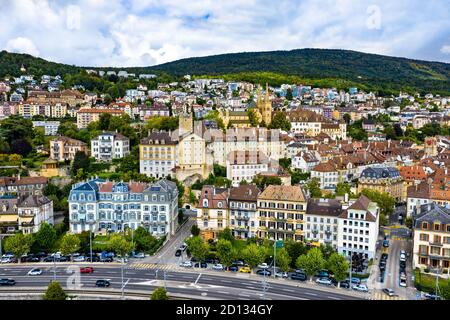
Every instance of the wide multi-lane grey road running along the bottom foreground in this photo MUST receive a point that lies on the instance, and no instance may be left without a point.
(203, 286)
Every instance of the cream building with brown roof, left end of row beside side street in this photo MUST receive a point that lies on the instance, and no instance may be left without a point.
(212, 211)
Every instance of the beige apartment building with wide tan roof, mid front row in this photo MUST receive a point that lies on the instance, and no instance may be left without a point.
(281, 211)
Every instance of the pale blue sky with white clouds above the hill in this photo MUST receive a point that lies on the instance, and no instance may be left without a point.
(125, 33)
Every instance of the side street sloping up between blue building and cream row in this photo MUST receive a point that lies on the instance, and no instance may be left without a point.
(166, 255)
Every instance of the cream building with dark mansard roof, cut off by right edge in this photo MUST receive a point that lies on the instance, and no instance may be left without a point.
(431, 229)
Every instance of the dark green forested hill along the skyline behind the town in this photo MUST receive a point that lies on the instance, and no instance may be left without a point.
(341, 68)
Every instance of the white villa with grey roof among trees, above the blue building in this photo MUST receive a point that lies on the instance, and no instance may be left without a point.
(110, 145)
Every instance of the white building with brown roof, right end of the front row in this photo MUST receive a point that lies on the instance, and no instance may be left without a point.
(358, 228)
